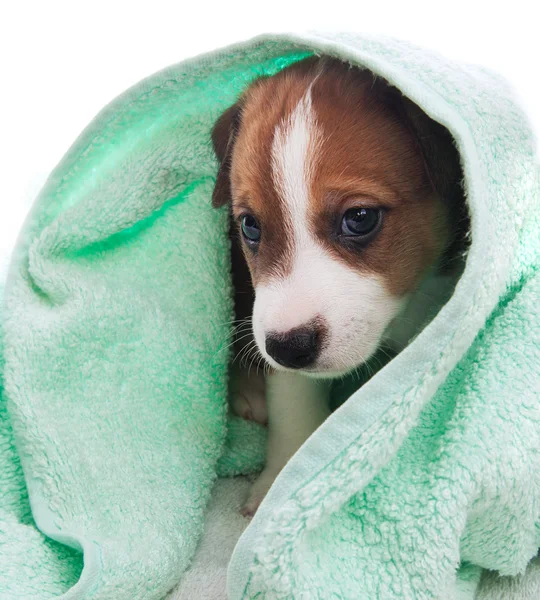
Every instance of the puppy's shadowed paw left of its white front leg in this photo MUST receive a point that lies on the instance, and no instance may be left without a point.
(247, 396)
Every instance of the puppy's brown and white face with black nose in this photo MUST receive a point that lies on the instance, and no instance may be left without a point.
(336, 209)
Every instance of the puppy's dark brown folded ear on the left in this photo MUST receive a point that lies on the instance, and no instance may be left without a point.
(223, 137)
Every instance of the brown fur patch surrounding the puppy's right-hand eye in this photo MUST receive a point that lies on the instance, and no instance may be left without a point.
(370, 157)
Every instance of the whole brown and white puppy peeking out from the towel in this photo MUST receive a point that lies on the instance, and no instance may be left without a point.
(345, 201)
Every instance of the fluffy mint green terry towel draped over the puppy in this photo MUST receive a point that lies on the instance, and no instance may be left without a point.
(116, 325)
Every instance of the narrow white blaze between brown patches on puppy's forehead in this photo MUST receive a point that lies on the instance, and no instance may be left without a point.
(293, 153)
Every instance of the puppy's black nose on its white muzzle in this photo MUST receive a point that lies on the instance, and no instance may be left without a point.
(295, 349)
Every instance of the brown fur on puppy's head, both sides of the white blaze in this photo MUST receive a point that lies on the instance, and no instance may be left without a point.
(376, 149)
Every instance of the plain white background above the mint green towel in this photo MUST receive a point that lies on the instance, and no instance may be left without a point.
(61, 62)
